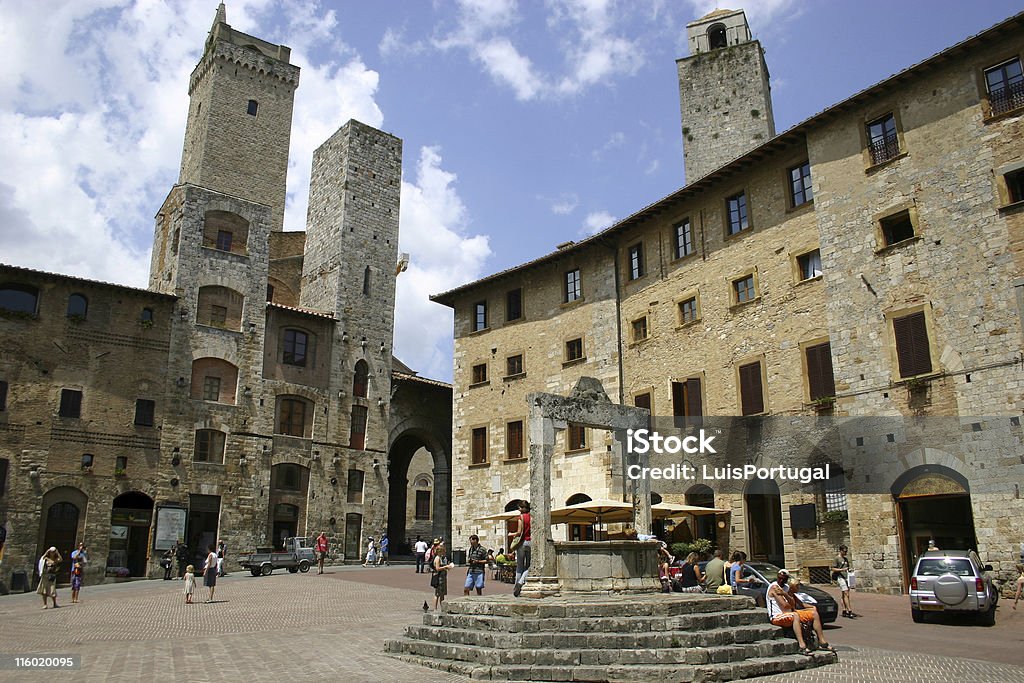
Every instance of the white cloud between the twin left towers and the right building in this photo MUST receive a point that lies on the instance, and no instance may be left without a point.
(434, 232)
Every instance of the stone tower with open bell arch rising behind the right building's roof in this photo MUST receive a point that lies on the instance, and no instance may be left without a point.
(724, 96)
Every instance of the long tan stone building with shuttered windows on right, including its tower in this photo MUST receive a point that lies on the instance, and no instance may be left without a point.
(860, 274)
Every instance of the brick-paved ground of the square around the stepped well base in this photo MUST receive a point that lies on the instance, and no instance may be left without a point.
(311, 628)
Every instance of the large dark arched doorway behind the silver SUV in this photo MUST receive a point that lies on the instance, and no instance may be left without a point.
(933, 503)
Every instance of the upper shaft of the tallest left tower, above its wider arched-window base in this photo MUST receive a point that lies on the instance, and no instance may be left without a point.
(240, 118)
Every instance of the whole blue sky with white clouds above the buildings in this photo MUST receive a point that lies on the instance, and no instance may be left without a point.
(526, 124)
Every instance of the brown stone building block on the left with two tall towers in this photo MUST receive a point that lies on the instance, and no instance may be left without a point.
(250, 394)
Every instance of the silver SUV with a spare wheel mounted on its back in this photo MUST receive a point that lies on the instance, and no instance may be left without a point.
(953, 582)
